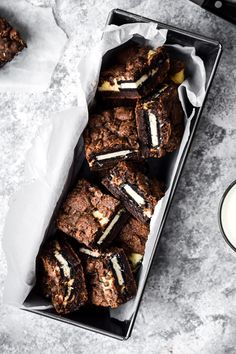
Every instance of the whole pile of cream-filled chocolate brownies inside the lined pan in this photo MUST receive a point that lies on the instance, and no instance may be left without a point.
(103, 228)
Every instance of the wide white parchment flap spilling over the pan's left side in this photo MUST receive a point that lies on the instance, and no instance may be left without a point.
(46, 170)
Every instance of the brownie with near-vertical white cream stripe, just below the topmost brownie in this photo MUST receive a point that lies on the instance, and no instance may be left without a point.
(160, 121)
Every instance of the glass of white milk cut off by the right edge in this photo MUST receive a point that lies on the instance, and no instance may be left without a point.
(227, 215)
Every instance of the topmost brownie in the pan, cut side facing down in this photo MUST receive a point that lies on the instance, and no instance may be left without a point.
(134, 73)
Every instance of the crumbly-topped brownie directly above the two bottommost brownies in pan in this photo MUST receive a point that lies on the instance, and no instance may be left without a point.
(91, 216)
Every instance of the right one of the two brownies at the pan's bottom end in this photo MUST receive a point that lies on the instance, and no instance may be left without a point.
(110, 279)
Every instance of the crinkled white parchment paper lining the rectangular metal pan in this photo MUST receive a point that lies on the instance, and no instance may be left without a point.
(25, 227)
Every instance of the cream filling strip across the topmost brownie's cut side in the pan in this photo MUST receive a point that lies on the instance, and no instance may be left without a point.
(106, 86)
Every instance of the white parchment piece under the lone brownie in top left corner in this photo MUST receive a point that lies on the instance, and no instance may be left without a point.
(32, 69)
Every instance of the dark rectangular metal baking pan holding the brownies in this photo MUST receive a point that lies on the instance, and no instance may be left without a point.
(98, 319)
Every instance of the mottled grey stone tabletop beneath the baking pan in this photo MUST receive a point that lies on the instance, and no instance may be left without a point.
(189, 305)
